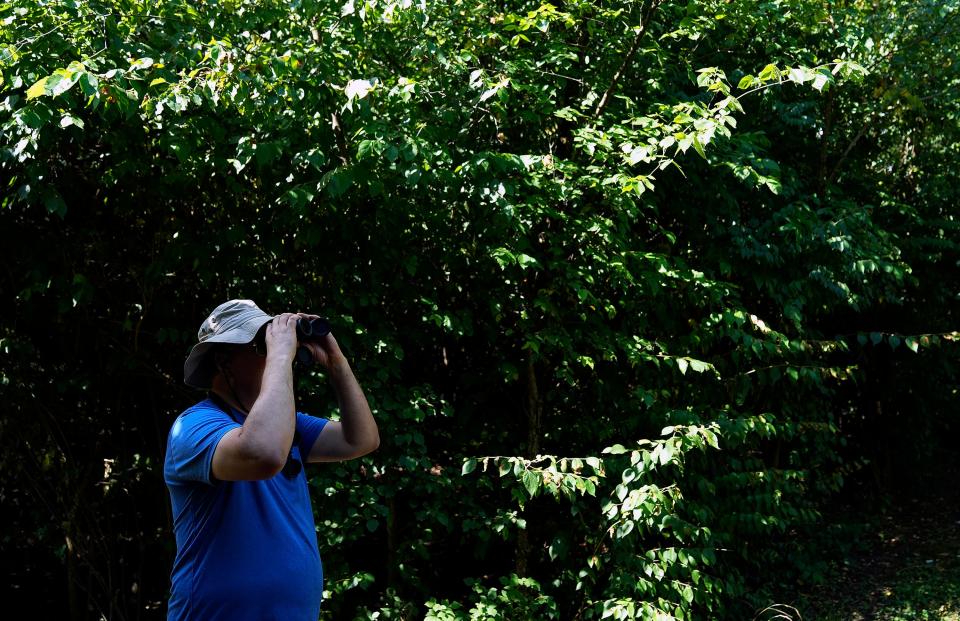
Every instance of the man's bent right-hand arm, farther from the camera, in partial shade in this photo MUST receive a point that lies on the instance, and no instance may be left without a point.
(355, 434)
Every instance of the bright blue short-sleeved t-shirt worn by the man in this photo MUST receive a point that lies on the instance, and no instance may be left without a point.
(245, 549)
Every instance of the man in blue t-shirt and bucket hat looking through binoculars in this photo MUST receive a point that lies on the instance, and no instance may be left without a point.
(246, 538)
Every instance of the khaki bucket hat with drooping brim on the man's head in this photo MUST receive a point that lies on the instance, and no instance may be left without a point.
(235, 322)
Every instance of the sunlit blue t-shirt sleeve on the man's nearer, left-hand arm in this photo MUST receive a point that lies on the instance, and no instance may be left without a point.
(193, 441)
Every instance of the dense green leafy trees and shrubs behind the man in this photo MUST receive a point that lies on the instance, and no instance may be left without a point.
(642, 294)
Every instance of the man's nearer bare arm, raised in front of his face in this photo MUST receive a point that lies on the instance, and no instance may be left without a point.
(258, 449)
